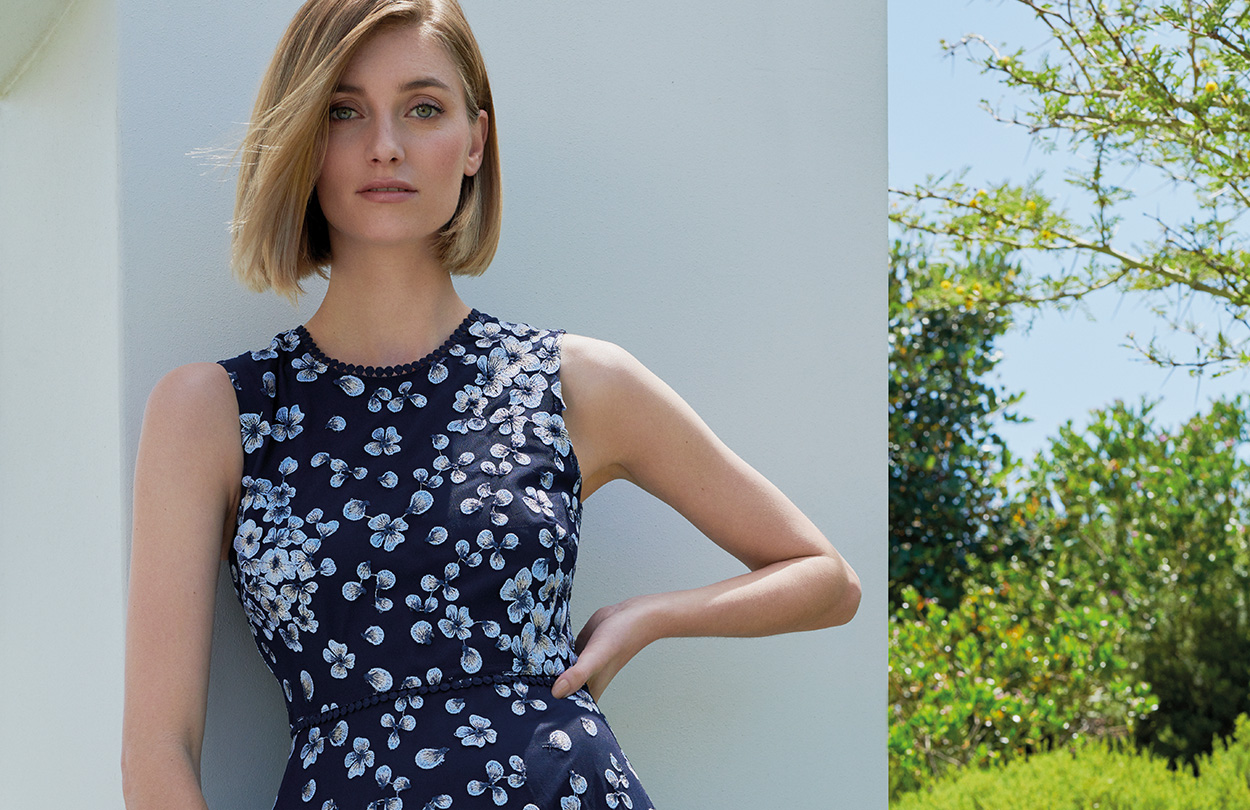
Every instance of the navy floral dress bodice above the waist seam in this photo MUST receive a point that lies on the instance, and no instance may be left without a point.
(408, 529)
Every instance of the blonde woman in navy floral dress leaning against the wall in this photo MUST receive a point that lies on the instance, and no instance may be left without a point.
(397, 484)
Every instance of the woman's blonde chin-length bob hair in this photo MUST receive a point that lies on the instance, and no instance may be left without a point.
(279, 236)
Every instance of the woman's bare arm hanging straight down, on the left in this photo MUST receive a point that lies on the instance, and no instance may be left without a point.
(187, 487)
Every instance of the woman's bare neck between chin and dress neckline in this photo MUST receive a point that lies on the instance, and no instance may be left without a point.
(386, 309)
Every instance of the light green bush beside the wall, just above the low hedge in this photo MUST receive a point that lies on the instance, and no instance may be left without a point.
(996, 679)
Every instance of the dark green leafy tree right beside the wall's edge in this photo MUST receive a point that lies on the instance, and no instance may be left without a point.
(947, 464)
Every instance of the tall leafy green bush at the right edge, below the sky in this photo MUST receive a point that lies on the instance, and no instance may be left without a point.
(1157, 522)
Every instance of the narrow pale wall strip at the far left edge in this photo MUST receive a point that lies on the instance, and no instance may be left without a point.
(61, 458)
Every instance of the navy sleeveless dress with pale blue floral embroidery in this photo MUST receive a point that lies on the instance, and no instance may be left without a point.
(404, 556)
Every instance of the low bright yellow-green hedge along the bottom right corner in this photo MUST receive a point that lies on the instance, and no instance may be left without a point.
(1094, 777)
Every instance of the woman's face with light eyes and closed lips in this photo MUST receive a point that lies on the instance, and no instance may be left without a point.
(401, 144)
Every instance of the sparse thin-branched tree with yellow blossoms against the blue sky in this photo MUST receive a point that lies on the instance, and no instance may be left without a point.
(1136, 92)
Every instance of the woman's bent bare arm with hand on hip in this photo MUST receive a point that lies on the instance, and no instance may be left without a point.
(626, 423)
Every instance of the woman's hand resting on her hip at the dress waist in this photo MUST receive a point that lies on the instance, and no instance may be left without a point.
(614, 636)
